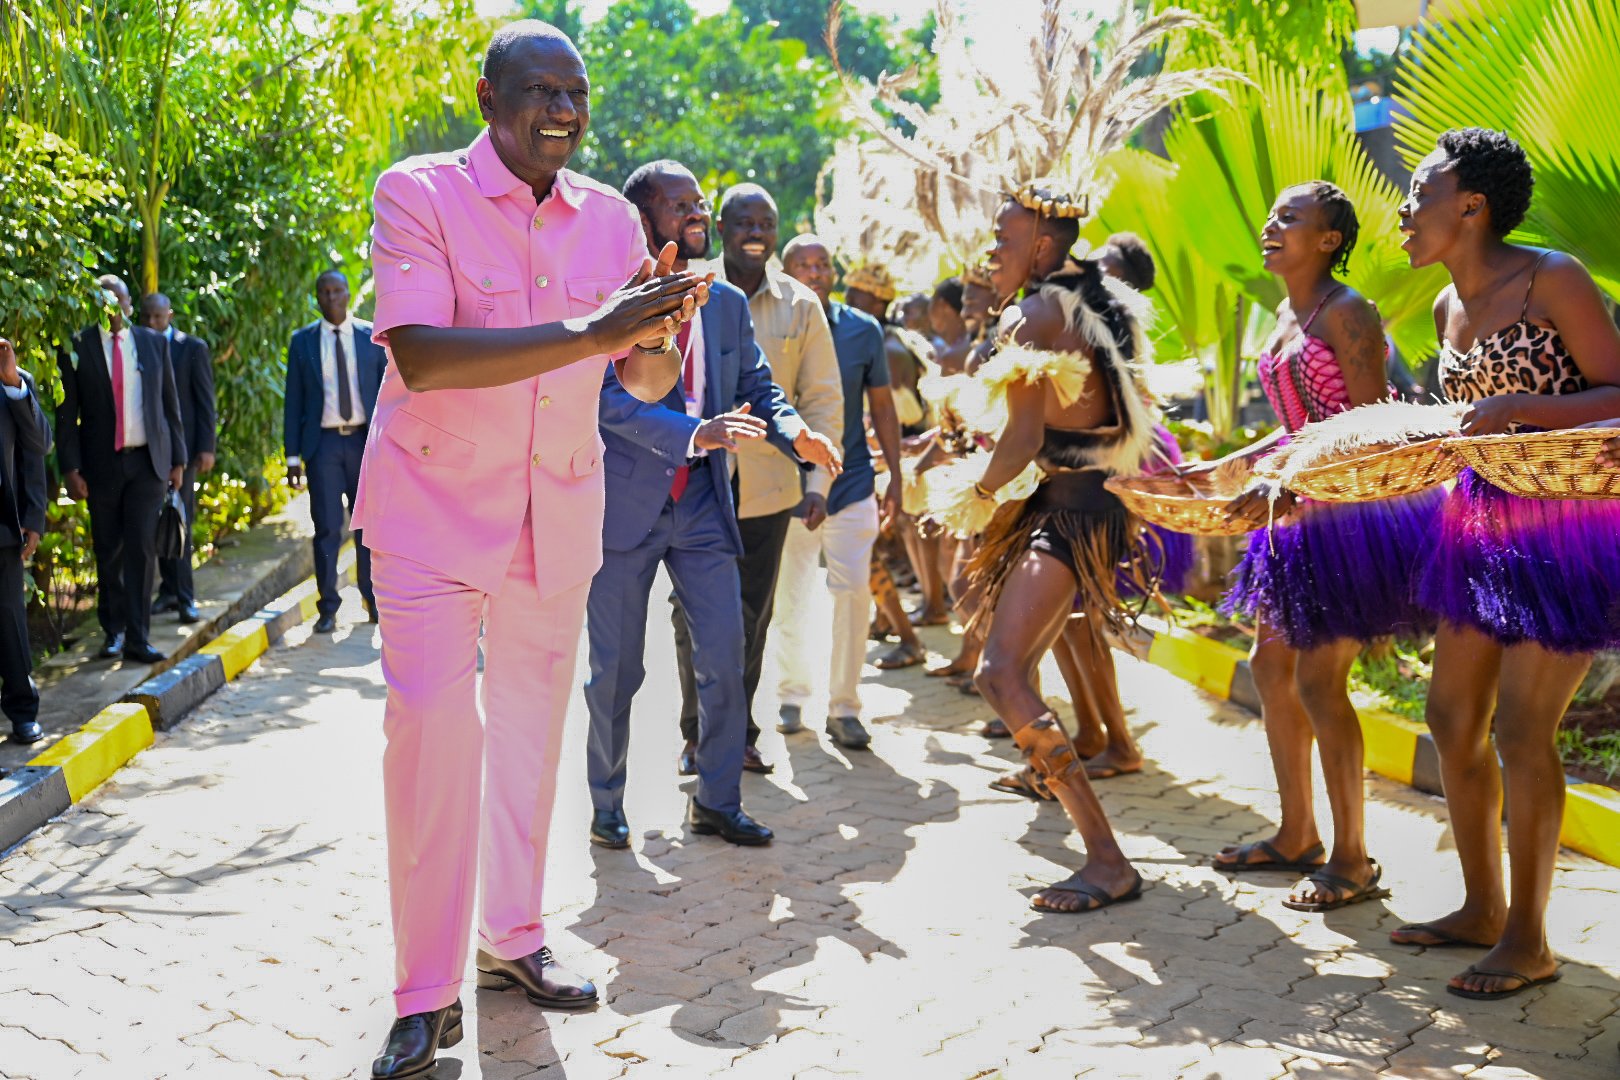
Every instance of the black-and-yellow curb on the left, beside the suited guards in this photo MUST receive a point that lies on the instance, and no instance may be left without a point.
(82, 762)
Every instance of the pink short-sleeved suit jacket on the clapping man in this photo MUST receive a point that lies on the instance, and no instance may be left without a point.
(450, 475)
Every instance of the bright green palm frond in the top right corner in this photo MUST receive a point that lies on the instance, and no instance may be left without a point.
(1546, 72)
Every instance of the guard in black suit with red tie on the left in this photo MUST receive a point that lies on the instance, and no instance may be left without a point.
(122, 456)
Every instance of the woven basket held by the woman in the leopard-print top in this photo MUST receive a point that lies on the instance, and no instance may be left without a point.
(1545, 464)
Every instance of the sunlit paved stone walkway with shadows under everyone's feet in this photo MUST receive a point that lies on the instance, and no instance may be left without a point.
(221, 911)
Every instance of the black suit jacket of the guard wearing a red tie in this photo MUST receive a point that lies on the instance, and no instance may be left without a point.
(85, 420)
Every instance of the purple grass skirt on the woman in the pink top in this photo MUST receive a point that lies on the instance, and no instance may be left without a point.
(1341, 571)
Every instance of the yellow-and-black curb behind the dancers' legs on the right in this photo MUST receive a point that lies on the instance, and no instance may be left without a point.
(1396, 747)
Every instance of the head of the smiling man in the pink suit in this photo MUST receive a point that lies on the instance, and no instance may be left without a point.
(537, 108)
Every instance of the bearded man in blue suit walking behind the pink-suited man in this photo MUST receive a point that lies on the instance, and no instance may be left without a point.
(670, 501)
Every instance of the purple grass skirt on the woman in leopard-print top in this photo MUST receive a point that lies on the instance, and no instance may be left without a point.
(1545, 571)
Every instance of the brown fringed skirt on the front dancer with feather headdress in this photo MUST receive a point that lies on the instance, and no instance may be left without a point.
(1073, 519)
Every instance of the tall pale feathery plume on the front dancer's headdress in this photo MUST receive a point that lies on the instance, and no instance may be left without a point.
(1010, 121)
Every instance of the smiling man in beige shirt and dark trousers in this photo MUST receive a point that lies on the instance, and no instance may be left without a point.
(791, 328)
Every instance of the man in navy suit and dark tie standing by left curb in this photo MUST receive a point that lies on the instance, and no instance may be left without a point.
(333, 376)
